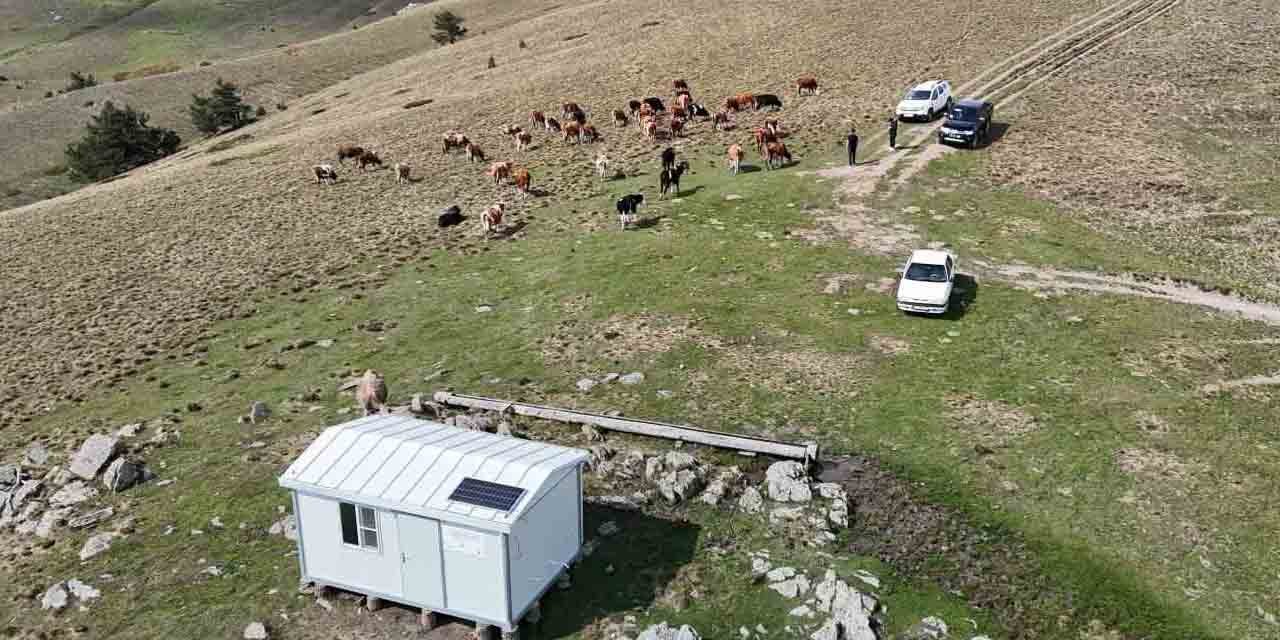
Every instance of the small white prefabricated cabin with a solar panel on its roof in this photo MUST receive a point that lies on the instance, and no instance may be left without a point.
(455, 522)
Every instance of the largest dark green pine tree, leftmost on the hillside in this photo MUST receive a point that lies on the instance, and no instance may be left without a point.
(117, 141)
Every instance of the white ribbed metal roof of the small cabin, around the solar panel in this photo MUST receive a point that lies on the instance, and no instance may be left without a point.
(409, 465)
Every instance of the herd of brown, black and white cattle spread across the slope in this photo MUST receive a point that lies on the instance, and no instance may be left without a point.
(656, 122)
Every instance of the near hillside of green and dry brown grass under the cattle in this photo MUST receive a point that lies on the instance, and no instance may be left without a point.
(1069, 464)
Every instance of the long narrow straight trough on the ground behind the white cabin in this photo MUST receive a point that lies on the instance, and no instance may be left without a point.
(807, 452)
